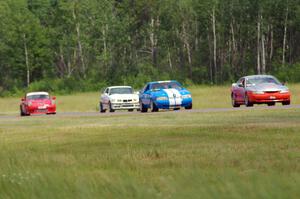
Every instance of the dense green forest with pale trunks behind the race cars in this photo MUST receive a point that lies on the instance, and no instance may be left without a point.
(74, 45)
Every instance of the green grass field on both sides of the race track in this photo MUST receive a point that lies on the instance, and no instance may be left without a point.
(235, 154)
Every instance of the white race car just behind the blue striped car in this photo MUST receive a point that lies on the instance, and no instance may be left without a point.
(118, 98)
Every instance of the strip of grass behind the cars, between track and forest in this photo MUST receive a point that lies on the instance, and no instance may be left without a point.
(203, 97)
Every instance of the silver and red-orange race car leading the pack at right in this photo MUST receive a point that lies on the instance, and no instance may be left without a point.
(259, 89)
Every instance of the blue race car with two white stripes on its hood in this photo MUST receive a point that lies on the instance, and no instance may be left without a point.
(164, 95)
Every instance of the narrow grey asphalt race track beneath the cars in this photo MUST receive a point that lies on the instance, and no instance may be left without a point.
(206, 110)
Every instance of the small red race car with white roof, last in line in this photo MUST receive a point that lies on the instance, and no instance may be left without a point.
(37, 103)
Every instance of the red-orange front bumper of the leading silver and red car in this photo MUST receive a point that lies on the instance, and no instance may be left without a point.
(269, 97)
